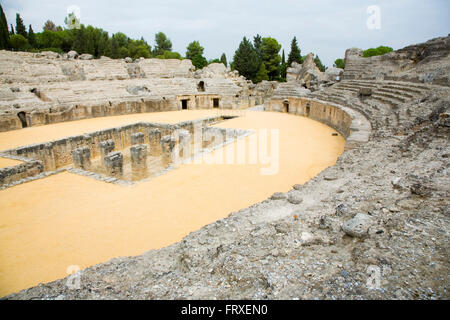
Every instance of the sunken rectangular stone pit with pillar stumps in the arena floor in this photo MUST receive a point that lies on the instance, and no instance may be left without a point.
(121, 155)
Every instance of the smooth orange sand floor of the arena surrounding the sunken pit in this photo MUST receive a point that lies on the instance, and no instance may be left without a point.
(64, 220)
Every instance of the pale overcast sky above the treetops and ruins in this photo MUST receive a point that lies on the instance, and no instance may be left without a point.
(325, 27)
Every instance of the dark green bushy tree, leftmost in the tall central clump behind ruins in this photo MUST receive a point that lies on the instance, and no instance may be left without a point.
(246, 60)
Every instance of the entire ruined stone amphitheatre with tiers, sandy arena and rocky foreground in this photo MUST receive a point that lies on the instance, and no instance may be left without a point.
(129, 172)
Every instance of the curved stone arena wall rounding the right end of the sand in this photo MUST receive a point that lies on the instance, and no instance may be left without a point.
(348, 122)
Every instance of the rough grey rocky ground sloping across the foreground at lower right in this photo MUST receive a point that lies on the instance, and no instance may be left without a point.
(375, 226)
